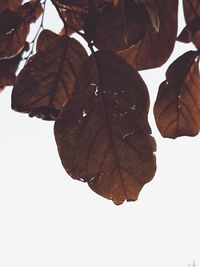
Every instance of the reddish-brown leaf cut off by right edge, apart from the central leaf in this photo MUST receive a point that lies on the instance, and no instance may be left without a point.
(177, 108)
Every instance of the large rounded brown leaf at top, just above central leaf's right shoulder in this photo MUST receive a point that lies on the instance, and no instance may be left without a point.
(155, 47)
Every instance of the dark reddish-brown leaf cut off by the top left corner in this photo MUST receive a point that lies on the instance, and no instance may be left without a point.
(15, 28)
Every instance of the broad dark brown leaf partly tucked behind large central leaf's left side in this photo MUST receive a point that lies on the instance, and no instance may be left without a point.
(47, 81)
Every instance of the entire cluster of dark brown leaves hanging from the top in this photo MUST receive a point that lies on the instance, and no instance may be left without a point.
(99, 101)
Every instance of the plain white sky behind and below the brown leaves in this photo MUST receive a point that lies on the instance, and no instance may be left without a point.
(48, 219)
